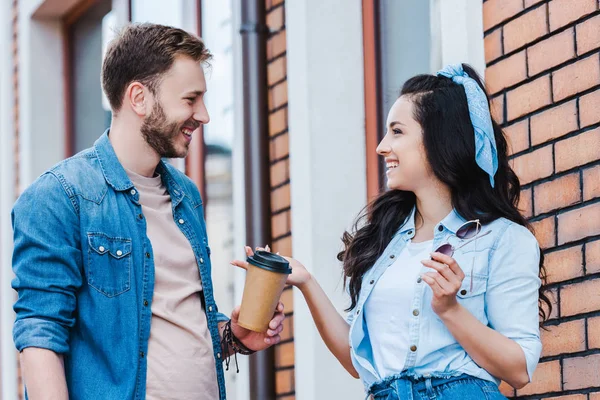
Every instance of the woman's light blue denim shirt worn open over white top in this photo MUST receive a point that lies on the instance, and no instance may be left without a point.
(504, 267)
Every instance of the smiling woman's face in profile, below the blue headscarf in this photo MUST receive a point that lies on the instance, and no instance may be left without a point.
(402, 146)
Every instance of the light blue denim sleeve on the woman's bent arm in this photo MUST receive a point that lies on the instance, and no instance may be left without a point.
(512, 294)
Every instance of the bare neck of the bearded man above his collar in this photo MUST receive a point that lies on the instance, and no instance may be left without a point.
(131, 149)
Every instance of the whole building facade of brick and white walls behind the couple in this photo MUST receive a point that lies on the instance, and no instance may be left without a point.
(333, 70)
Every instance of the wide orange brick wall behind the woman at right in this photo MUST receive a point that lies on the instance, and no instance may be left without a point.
(543, 70)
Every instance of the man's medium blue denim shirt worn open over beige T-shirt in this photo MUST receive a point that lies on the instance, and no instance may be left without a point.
(84, 271)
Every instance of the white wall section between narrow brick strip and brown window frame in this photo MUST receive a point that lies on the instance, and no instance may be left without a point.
(327, 168)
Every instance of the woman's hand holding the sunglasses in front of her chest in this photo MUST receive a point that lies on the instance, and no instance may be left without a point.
(445, 282)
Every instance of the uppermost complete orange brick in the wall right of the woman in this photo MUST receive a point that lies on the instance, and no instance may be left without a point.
(525, 29)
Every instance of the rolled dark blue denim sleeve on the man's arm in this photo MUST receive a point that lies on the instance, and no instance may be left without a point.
(46, 264)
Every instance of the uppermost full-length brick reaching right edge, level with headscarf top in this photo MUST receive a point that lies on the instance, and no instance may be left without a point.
(576, 78)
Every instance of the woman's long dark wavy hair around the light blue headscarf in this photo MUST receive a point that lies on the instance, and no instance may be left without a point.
(440, 107)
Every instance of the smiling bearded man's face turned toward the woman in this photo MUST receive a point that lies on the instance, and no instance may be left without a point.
(178, 109)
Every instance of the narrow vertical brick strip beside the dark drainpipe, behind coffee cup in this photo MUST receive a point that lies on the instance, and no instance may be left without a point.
(280, 184)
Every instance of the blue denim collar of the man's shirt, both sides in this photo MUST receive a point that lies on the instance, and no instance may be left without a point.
(115, 174)
